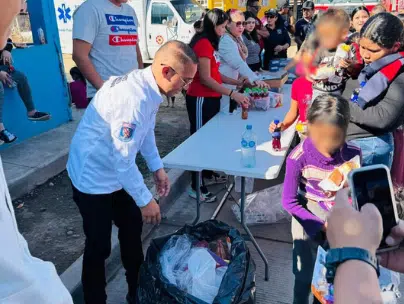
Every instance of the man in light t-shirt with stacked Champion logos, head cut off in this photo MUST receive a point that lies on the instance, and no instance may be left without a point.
(105, 41)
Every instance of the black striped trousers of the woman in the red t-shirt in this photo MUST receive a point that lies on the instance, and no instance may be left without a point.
(200, 111)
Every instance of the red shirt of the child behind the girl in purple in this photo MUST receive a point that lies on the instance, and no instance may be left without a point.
(302, 92)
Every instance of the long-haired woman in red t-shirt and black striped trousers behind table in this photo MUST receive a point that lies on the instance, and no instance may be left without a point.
(206, 90)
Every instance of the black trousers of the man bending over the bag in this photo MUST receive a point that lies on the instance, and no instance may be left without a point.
(98, 213)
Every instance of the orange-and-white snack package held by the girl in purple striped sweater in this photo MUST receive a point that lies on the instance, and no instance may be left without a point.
(336, 179)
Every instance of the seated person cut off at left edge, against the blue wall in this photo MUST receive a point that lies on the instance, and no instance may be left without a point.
(11, 78)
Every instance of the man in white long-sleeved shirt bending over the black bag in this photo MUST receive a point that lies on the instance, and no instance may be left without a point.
(107, 184)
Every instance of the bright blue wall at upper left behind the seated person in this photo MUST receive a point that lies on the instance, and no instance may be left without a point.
(43, 66)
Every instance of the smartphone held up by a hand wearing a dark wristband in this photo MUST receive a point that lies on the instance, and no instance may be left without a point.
(373, 185)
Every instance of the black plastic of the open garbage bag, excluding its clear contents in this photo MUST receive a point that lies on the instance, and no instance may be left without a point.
(238, 285)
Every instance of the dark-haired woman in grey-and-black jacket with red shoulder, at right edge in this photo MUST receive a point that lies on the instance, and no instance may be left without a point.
(379, 109)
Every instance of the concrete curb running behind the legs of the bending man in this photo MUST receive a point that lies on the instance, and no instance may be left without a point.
(71, 278)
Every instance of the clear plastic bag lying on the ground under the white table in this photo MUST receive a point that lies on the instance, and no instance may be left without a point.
(263, 207)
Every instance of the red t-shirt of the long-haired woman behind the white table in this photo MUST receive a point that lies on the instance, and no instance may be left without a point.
(203, 48)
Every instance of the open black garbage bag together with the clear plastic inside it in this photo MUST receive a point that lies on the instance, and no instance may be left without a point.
(202, 264)
